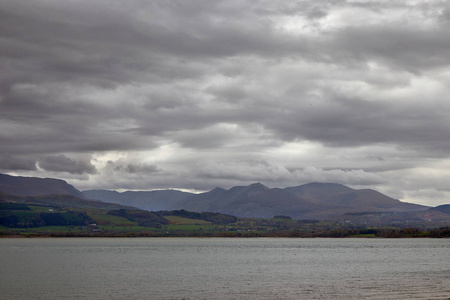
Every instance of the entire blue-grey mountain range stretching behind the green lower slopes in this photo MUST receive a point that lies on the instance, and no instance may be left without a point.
(308, 201)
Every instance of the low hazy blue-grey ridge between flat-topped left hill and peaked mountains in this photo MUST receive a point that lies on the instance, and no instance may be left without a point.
(148, 200)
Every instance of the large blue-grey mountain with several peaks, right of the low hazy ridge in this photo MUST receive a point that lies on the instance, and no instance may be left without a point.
(313, 200)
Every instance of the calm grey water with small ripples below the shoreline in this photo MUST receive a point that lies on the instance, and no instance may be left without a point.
(224, 268)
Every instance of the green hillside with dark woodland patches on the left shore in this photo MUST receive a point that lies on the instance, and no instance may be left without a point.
(64, 215)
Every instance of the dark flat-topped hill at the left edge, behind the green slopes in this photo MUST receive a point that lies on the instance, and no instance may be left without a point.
(33, 186)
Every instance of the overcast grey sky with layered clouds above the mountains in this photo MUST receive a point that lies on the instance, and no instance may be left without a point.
(198, 94)
